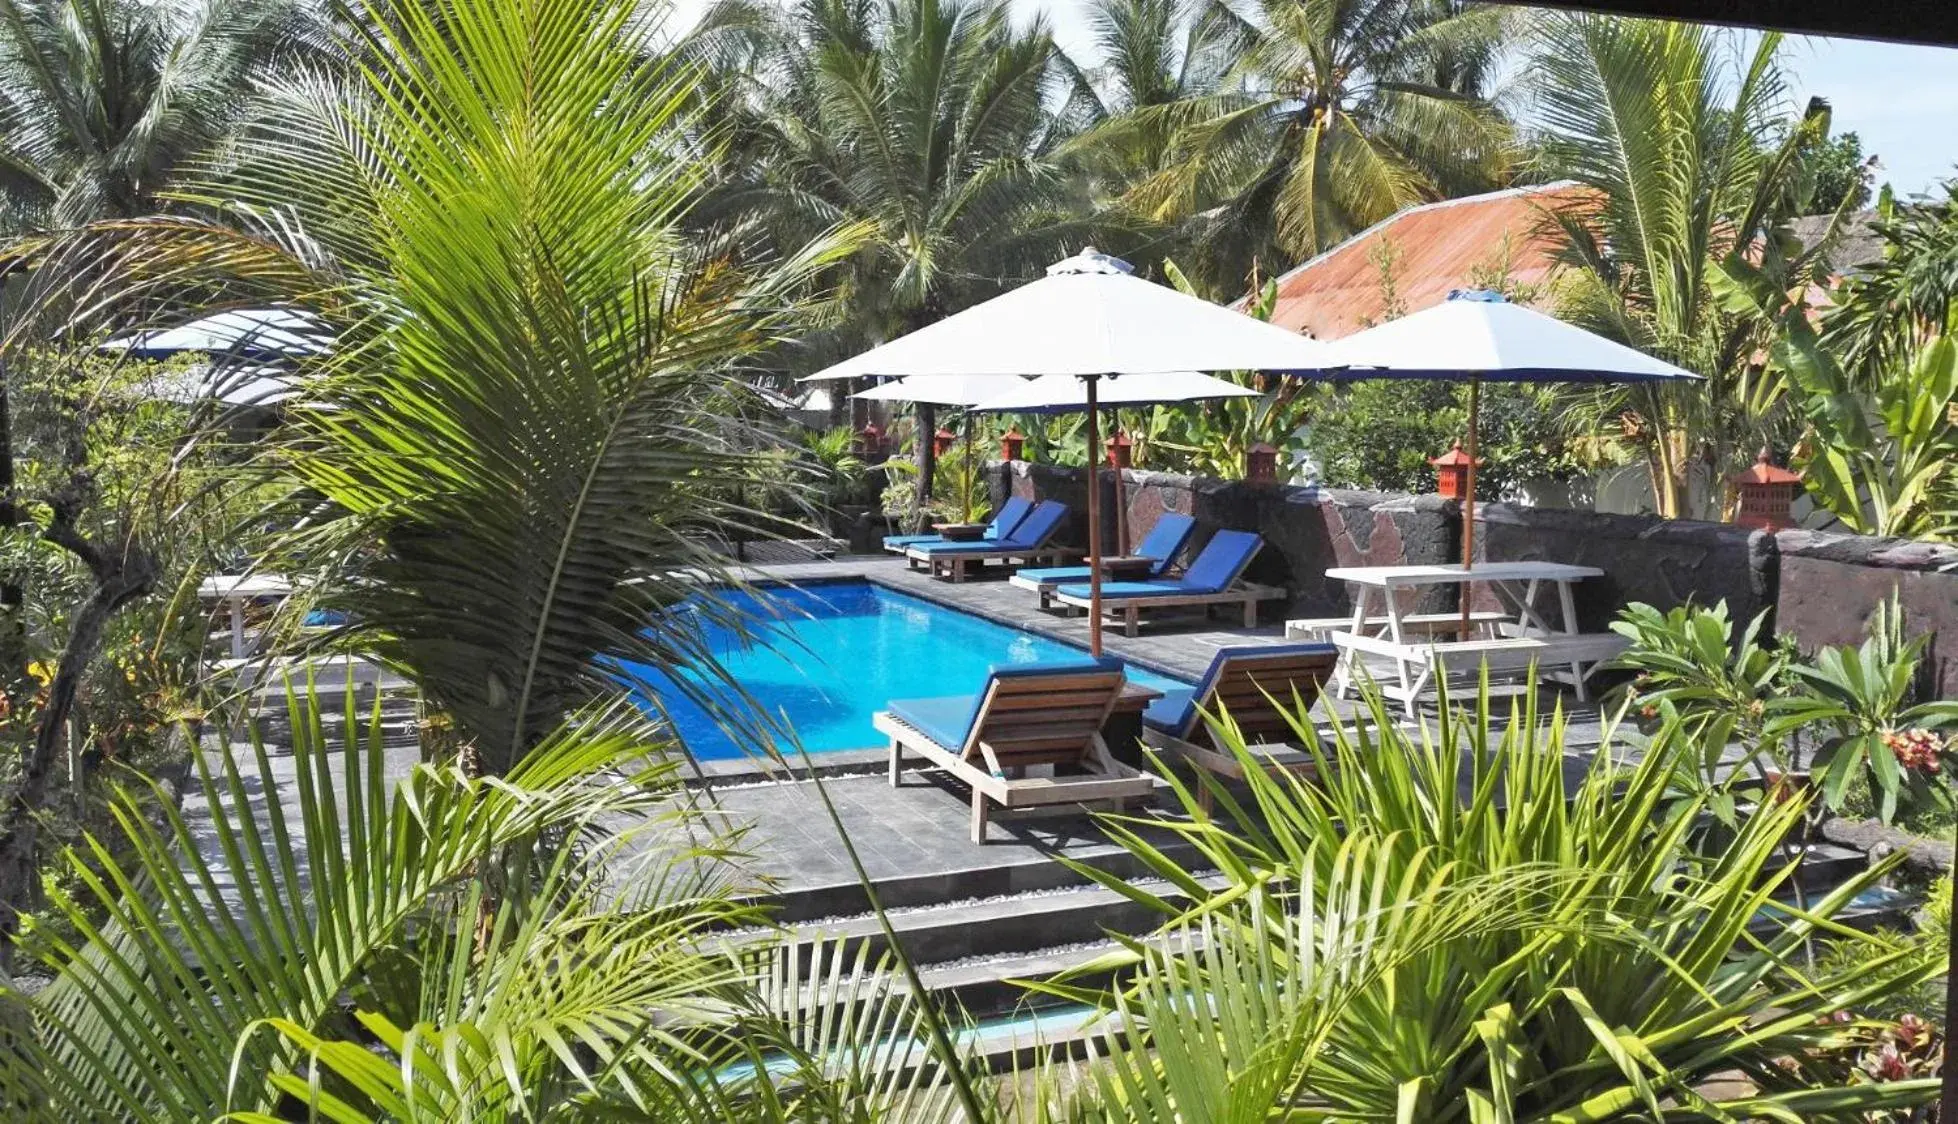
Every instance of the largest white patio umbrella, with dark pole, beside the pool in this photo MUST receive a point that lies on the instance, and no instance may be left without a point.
(1092, 320)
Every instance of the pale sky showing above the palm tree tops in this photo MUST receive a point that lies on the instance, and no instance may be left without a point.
(1902, 101)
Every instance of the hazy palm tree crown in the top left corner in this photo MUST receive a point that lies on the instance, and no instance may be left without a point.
(105, 103)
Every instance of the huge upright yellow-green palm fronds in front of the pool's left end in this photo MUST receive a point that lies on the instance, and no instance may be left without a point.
(534, 416)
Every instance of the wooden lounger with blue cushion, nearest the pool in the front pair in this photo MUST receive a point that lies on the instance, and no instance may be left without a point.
(1025, 720)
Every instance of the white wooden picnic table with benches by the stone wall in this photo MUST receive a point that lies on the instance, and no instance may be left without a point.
(1522, 637)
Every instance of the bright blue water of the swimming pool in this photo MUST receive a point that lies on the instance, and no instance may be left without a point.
(833, 655)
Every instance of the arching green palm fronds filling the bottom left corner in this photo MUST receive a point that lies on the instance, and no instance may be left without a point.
(479, 912)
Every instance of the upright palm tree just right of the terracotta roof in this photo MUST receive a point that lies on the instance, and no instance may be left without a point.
(1697, 169)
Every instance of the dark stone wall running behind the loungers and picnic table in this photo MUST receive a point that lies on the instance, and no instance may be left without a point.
(1818, 588)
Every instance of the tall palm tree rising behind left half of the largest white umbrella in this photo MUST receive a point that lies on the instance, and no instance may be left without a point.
(925, 124)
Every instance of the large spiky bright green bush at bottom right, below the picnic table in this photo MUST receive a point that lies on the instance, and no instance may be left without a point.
(1444, 925)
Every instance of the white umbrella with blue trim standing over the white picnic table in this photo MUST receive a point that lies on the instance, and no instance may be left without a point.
(1479, 336)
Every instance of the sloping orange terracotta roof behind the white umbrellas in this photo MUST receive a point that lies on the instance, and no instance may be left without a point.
(1440, 248)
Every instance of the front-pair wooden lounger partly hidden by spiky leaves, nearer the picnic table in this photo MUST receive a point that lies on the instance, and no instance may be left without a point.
(1254, 690)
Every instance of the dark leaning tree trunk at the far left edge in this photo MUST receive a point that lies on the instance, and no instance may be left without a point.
(120, 579)
